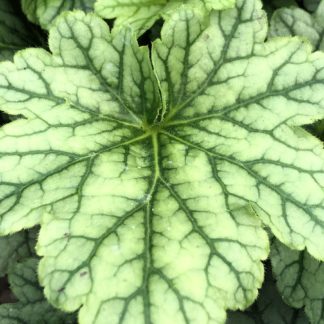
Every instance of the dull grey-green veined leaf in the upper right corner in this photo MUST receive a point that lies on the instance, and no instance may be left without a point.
(295, 21)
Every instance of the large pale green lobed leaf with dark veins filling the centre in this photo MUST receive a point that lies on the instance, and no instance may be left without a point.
(138, 195)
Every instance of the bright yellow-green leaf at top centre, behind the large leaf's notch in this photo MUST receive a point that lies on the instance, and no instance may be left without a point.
(141, 14)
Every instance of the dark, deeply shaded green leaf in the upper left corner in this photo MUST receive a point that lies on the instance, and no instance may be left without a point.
(15, 33)
